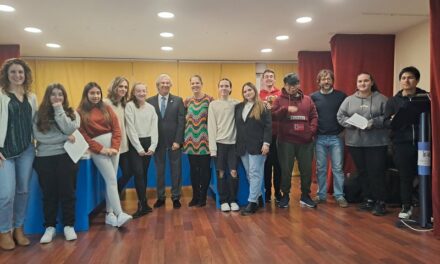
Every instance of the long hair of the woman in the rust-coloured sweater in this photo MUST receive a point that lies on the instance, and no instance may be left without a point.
(85, 106)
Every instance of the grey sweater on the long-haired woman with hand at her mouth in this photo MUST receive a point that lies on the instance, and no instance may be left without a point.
(52, 142)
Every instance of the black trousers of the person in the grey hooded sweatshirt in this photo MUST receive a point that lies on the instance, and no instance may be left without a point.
(371, 165)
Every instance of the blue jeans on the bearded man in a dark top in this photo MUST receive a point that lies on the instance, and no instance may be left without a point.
(330, 146)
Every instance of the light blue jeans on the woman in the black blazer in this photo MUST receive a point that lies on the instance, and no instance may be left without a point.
(254, 166)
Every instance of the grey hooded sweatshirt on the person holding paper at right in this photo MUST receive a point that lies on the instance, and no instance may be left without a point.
(372, 107)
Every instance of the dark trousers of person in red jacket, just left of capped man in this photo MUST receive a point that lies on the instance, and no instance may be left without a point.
(272, 163)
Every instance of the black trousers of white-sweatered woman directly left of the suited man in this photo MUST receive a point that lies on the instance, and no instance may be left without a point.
(139, 167)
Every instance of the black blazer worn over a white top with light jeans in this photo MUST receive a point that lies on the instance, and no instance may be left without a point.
(252, 133)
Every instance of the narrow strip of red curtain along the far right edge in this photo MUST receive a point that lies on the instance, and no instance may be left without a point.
(435, 110)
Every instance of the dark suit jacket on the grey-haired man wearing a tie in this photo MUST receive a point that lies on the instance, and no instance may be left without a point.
(172, 125)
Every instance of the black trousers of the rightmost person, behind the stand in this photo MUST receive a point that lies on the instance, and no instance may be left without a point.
(405, 159)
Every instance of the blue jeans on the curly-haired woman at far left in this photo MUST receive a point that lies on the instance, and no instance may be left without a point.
(15, 175)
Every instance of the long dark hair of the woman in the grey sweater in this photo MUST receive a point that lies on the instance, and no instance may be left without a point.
(45, 111)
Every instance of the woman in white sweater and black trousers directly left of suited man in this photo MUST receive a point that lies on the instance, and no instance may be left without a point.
(141, 126)
